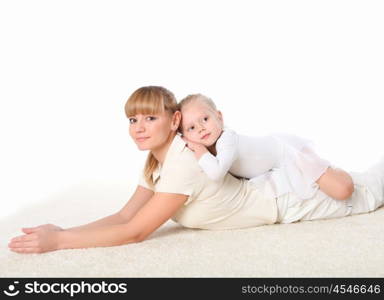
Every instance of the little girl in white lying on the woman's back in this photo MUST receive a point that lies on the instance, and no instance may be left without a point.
(220, 150)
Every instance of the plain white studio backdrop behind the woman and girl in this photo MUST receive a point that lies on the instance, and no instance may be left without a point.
(311, 68)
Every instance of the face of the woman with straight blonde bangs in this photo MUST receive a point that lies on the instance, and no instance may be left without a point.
(151, 132)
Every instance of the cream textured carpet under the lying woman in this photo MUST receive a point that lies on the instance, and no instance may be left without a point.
(345, 247)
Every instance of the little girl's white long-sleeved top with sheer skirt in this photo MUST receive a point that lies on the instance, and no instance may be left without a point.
(295, 164)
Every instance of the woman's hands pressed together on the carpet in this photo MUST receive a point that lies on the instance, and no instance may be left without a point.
(38, 239)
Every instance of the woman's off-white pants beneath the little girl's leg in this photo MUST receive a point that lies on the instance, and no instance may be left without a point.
(367, 196)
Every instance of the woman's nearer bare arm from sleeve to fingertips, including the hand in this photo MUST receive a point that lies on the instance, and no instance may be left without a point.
(152, 215)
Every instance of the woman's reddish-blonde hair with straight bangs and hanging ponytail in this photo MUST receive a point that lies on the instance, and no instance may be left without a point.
(150, 100)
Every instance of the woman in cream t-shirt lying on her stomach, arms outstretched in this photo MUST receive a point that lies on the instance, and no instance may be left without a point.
(173, 186)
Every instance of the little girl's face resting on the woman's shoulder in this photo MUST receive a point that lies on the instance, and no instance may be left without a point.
(201, 124)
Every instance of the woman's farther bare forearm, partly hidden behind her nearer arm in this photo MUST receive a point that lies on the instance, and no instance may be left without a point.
(139, 198)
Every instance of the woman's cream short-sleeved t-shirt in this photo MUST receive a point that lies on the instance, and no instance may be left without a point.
(228, 203)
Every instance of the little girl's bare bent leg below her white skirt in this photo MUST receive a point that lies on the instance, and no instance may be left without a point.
(336, 183)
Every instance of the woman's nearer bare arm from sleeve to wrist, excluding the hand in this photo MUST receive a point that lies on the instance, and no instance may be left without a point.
(152, 215)
